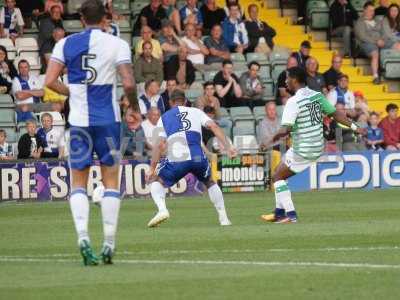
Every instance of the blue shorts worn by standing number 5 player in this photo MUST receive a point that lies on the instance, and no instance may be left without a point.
(105, 141)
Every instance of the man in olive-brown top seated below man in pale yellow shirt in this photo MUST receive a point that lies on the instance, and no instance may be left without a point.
(147, 67)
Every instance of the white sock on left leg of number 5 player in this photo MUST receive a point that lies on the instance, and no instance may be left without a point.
(79, 204)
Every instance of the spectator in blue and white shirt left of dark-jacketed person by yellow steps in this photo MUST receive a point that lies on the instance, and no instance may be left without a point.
(234, 31)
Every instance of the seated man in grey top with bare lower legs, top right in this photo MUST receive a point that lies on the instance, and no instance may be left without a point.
(368, 33)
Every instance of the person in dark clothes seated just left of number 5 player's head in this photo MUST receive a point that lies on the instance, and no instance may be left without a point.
(46, 38)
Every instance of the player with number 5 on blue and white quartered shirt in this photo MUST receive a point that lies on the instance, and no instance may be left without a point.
(93, 58)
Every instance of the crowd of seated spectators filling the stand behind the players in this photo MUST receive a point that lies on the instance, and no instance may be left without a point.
(173, 45)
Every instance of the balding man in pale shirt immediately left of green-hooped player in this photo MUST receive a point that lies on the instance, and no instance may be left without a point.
(268, 127)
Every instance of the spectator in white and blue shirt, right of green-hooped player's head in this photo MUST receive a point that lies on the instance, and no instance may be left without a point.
(341, 94)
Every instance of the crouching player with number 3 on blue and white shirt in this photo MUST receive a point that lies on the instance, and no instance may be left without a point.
(179, 132)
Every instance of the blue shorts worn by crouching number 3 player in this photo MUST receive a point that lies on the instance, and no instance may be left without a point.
(172, 172)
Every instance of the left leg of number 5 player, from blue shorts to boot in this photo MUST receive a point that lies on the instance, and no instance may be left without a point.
(79, 160)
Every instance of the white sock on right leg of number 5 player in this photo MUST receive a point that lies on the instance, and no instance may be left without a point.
(110, 205)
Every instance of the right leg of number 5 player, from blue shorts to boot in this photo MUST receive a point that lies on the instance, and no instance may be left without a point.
(107, 148)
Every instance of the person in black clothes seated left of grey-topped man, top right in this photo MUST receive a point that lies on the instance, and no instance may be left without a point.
(342, 15)
